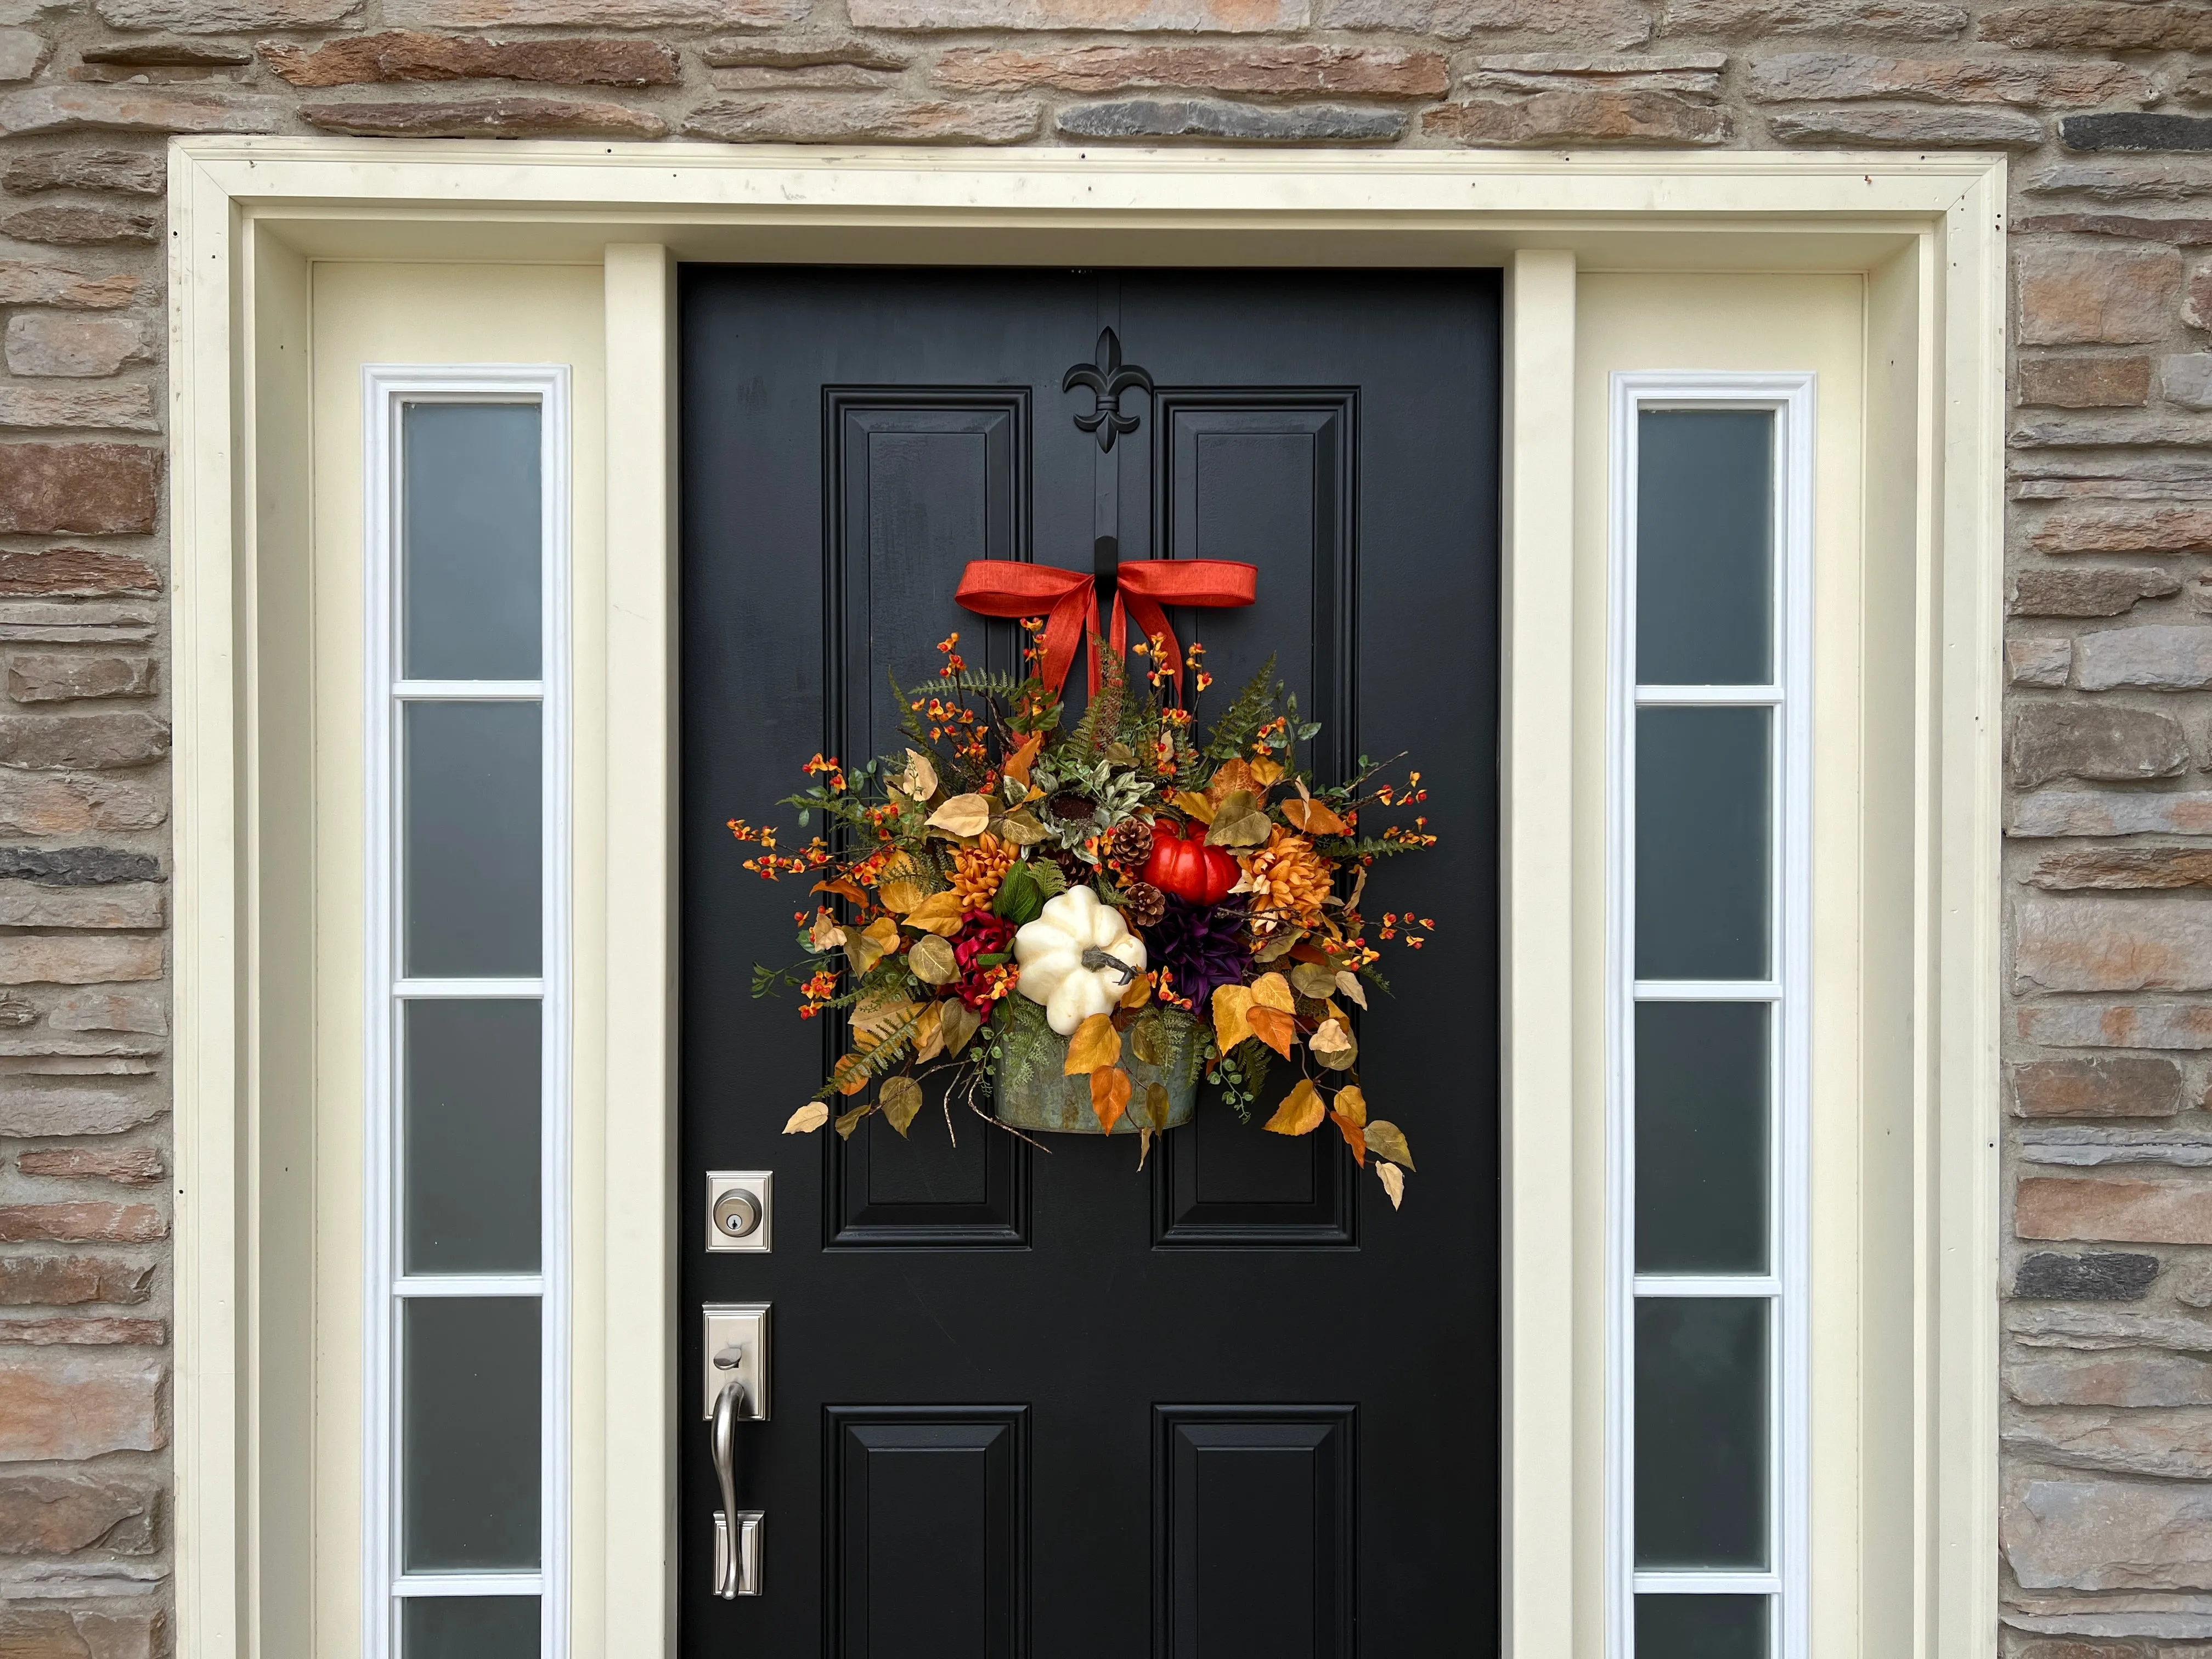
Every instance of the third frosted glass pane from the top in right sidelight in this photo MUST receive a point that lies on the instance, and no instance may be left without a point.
(1702, 1138)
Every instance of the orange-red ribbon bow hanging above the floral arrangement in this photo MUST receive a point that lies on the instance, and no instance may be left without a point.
(1070, 603)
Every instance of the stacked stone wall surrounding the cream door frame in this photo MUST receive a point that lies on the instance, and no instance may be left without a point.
(2107, 109)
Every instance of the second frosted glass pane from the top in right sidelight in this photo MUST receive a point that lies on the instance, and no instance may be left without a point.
(1702, 844)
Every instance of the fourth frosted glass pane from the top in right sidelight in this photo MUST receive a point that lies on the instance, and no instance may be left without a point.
(1702, 1432)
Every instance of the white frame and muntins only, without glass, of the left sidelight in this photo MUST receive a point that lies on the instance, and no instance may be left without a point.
(386, 395)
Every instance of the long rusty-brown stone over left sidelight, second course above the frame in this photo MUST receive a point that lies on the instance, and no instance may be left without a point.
(410, 54)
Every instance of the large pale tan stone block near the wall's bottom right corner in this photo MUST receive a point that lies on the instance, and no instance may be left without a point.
(2109, 1536)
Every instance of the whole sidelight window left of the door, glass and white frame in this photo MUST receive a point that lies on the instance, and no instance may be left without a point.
(468, 1014)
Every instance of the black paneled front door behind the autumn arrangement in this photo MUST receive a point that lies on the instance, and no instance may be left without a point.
(1043, 1406)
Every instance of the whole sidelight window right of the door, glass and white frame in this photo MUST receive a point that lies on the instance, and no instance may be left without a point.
(1709, 985)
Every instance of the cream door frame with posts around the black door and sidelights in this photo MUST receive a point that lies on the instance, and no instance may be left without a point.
(247, 218)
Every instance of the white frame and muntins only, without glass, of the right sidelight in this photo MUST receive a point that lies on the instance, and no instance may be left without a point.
(1791, 399)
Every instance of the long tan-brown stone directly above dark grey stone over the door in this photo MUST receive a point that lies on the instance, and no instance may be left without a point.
(1375, 72)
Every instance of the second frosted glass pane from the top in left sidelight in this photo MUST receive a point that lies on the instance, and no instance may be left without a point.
(472, 839)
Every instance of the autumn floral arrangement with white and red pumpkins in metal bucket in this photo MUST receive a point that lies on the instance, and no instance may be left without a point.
(1087, 921)
